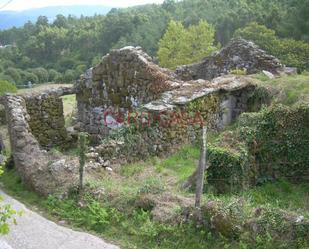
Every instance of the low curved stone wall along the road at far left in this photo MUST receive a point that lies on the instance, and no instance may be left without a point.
(44, 172)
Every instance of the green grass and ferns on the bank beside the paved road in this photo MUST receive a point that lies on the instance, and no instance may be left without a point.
(115, 217)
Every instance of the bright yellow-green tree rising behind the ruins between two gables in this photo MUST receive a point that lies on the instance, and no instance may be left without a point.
(183, 46)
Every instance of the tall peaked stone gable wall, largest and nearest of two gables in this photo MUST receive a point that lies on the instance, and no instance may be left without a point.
(125, 79)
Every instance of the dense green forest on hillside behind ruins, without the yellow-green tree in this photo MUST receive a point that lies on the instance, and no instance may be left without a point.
(60, 51)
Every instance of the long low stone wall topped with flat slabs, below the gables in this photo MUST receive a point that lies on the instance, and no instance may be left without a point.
(161, 126)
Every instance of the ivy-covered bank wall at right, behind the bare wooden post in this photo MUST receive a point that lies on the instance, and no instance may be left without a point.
(264, 147)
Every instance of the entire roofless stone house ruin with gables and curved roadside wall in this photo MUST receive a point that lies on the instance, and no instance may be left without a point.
(127, 85)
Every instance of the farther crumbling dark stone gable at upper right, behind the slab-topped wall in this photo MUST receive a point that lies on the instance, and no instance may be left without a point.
(238, 54)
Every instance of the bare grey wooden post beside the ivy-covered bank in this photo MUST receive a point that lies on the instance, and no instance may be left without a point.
(201, 170)
